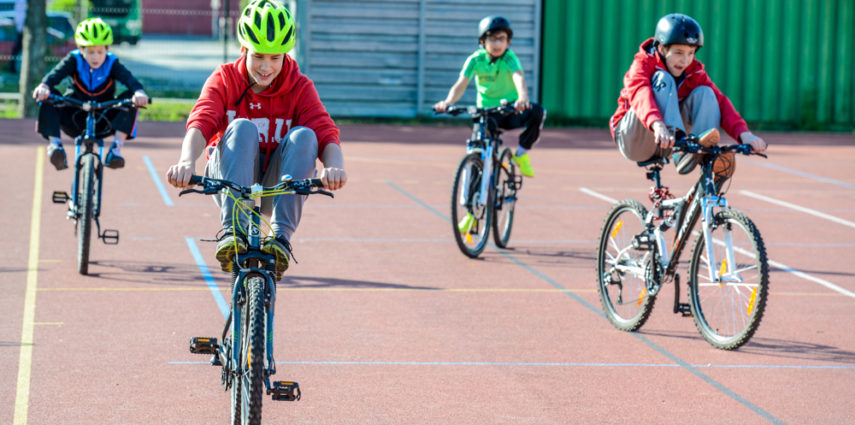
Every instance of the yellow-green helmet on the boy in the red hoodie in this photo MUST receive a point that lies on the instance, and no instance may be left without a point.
(265, 26)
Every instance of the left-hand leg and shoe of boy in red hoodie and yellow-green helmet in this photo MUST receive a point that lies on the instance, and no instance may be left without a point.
(235, 158)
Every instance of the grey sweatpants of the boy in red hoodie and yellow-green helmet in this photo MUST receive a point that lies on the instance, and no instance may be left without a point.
(236, 158)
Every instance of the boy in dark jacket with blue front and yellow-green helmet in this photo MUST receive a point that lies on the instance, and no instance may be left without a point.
(94, 72)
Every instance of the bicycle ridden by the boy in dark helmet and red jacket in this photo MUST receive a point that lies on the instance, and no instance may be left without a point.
(728, 269)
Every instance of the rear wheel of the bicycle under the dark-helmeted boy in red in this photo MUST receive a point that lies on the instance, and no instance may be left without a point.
(623, 268)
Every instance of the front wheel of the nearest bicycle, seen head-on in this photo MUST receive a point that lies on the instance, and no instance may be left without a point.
(251, 368)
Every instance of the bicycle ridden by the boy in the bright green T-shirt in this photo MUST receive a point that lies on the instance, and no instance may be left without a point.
(479, 203)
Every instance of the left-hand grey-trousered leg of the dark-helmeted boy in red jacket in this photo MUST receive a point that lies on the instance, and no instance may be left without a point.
(635, 141)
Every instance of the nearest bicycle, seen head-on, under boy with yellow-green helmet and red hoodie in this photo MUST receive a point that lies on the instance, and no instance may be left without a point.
(246, 352)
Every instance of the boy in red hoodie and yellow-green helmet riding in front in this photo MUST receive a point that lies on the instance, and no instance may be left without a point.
(258, 119)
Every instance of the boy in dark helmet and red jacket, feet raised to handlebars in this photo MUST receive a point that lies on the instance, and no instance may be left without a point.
(667, 94)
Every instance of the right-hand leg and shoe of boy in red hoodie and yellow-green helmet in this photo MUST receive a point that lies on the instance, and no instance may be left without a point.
(295, 156)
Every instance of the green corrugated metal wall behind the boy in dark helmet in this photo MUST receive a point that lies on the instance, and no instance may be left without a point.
(781, 62)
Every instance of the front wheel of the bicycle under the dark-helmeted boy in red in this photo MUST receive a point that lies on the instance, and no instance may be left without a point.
(728, 292)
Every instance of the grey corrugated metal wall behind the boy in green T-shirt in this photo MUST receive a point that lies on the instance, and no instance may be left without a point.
(396, 58)
